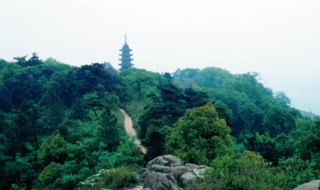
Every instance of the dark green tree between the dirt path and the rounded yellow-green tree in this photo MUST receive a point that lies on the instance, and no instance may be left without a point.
(165, 111)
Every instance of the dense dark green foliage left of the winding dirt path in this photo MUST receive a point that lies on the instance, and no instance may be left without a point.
(60, 124)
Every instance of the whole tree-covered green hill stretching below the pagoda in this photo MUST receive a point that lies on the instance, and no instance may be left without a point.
(60, 124)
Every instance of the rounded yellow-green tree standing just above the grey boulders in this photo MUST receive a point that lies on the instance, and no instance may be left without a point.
(199, 136)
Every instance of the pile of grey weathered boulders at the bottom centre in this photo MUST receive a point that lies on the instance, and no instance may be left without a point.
(170, 173)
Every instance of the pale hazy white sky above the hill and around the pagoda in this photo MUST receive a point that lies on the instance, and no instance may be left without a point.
(279, 39)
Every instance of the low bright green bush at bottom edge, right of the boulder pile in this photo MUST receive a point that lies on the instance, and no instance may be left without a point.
(241, 171)
